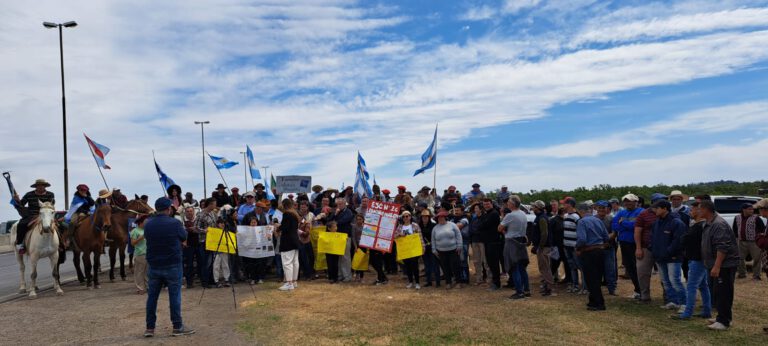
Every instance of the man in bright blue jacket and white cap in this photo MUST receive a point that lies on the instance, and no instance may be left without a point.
(624, 224)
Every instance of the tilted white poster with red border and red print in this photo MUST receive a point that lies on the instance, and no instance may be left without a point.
(379, 227)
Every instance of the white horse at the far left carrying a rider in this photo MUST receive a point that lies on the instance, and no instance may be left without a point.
(42, 240)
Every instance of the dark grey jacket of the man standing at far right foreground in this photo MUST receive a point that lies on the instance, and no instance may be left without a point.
(718, 236)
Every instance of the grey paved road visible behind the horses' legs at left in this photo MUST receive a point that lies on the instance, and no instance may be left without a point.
(9, 273)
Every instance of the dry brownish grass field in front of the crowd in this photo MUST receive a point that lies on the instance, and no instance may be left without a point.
(355, 314)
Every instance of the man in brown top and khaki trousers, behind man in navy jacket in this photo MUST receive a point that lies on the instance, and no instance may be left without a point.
(643, 254)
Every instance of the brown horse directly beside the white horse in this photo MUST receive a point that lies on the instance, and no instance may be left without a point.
(89, 240)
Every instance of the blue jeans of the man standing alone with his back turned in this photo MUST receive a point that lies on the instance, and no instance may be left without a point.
(169, 276)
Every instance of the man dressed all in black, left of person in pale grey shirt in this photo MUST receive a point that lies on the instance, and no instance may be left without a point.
(493, 242)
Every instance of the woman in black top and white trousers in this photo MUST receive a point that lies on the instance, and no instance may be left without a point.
(289, 245)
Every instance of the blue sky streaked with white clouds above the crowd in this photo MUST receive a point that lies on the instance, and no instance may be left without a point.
(534, 94)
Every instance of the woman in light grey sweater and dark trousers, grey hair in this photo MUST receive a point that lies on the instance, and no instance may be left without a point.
(446, 244)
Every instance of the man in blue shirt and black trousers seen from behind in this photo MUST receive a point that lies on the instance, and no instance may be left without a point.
(592, 239)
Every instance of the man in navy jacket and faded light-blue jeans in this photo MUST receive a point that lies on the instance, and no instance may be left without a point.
(667, 250)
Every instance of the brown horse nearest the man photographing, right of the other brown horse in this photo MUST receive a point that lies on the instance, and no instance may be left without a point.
(119, 232)
